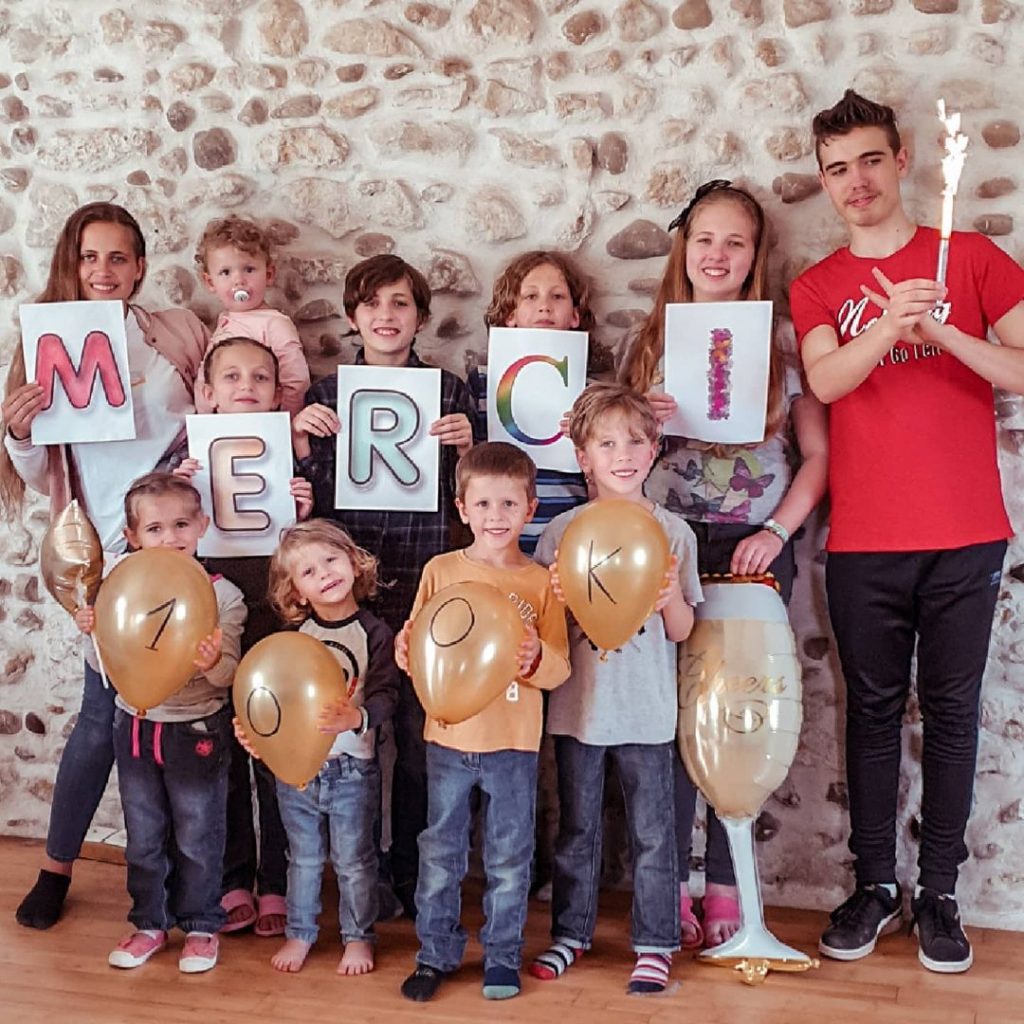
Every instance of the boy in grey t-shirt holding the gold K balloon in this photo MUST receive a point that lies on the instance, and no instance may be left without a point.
(624, 708)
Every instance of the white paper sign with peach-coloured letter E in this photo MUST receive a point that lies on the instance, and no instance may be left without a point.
(245, 481)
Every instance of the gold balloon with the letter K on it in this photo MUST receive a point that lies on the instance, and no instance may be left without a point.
(612, 565)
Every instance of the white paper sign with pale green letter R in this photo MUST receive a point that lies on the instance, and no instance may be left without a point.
(387, 458)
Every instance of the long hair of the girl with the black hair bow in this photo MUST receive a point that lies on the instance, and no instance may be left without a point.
(646, 353)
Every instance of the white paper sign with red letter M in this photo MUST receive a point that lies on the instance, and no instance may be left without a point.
(78, 354)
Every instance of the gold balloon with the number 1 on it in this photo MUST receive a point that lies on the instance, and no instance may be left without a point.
(152, 613)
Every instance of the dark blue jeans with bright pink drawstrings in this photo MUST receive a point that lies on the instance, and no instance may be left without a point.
(174, 781)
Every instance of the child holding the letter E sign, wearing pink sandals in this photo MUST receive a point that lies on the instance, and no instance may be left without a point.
(242, 375)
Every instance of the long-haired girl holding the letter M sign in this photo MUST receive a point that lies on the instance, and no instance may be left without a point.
(100, 257)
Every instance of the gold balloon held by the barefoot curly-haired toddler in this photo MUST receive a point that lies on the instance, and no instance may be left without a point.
(280, 690)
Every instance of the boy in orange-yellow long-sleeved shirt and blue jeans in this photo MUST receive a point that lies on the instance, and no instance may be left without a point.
(495, 752)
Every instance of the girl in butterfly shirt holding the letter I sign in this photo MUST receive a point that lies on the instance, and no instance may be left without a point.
(744, 502)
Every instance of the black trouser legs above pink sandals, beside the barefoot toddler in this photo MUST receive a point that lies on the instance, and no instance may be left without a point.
(248, 864)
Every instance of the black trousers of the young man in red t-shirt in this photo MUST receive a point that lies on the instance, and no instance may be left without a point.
(880, 604)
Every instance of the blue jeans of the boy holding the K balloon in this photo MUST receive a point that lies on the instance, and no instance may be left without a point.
(646, 773)
